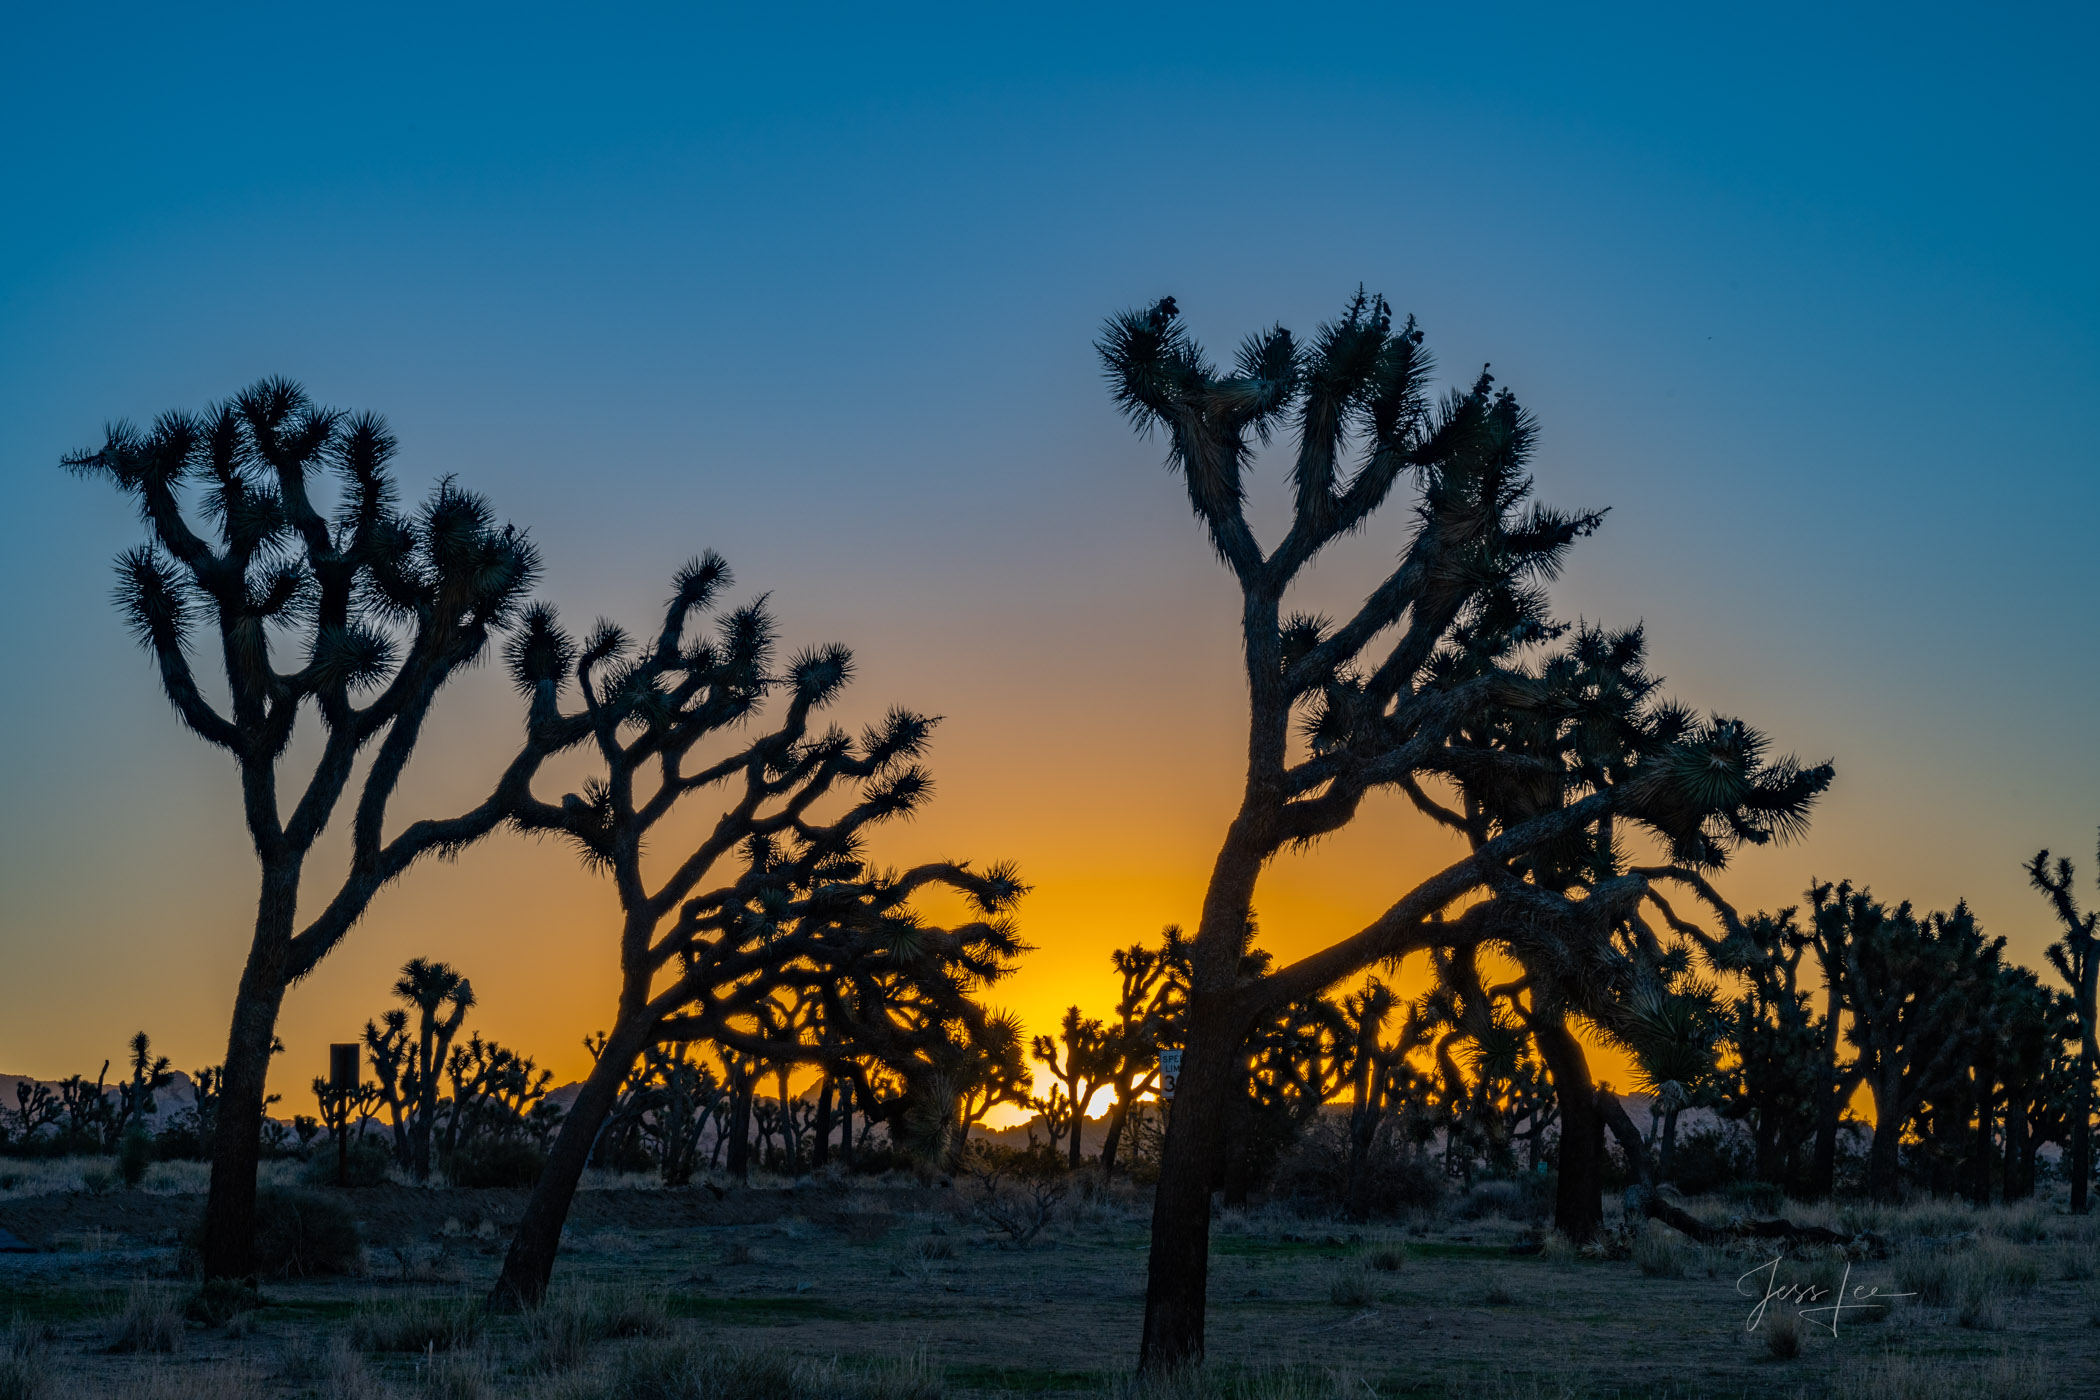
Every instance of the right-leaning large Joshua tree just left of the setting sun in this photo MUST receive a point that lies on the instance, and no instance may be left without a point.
(772, 901)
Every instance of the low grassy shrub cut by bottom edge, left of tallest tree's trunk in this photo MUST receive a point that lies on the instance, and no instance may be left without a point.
(694, 1372)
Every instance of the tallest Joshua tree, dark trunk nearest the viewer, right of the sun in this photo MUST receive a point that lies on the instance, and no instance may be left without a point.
(1381, 710)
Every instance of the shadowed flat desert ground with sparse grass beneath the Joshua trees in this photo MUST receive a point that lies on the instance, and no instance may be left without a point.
(900, 1288)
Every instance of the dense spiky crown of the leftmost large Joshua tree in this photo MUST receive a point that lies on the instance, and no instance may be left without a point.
(375, 597)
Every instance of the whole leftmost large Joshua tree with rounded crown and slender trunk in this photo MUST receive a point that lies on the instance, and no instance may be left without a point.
(379, 612)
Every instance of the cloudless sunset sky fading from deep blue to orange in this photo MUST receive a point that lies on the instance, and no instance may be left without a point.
(1807, 297)
